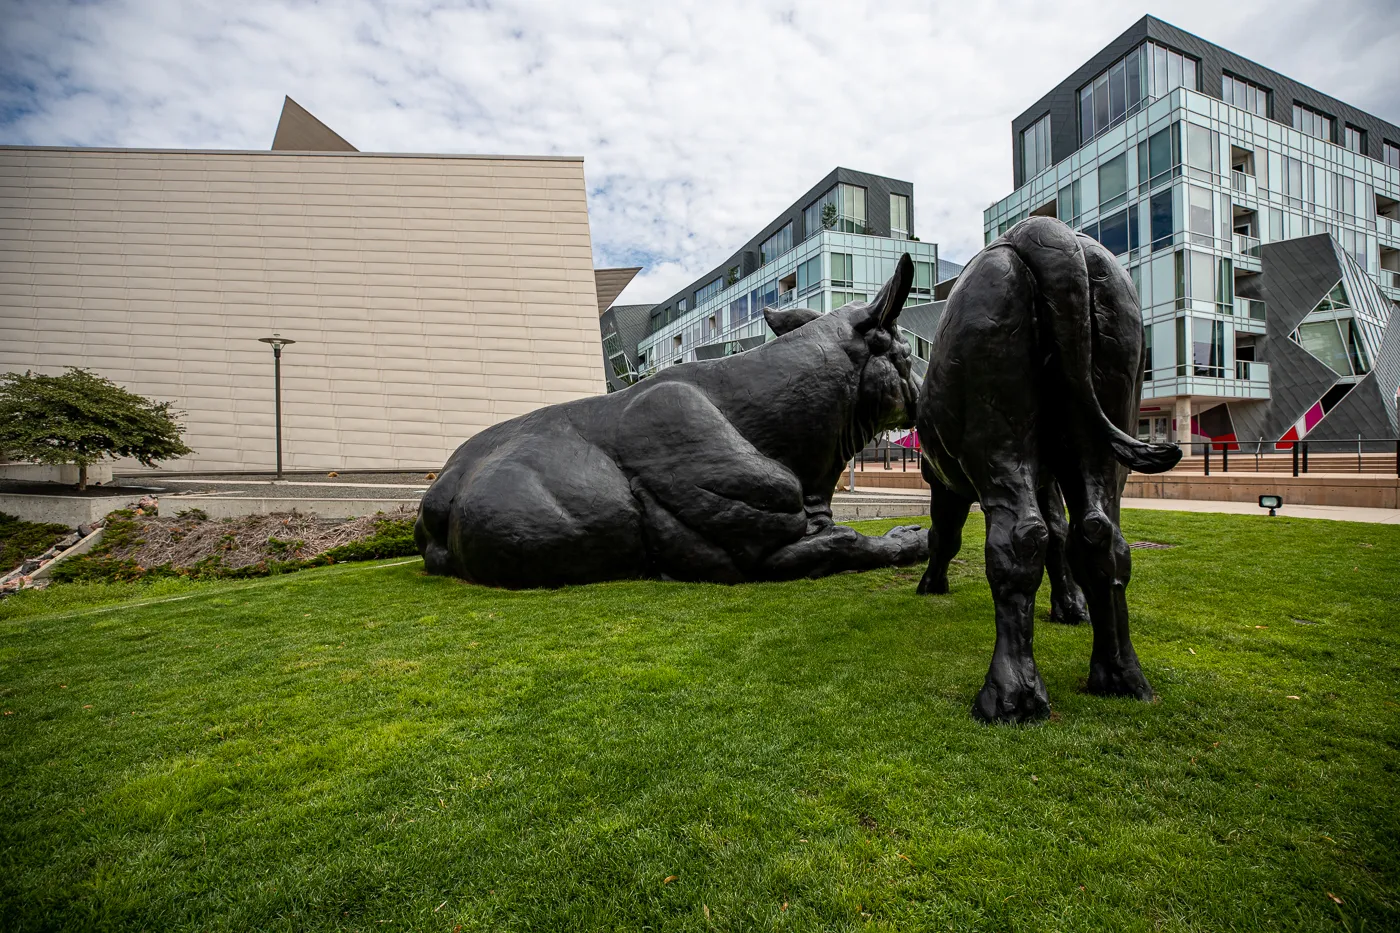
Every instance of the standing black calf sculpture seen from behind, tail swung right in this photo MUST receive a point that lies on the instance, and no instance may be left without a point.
(1035, 380)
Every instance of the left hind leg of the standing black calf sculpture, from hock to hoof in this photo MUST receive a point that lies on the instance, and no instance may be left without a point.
(1017, 540)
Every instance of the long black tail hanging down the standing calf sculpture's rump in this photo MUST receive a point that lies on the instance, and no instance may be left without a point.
(1069, 285)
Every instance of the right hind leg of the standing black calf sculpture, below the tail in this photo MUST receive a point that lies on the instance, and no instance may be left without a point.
(1104, 564)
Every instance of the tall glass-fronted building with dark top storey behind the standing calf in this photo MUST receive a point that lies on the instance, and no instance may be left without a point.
(1189, 190)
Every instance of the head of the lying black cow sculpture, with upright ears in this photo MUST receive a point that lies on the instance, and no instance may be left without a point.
(887, 394)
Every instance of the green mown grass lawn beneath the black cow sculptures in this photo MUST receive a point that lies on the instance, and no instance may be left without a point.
(367, 749)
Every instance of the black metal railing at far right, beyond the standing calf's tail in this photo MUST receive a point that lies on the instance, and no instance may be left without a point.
(1361, 455)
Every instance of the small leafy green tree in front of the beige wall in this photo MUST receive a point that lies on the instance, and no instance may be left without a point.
(80, 418)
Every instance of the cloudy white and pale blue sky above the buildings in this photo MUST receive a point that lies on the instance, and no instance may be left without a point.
(698, 123)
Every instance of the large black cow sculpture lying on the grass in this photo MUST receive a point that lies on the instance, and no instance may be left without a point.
(717, 471)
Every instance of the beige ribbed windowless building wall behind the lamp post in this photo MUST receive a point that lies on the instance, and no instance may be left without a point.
(430, 296)
